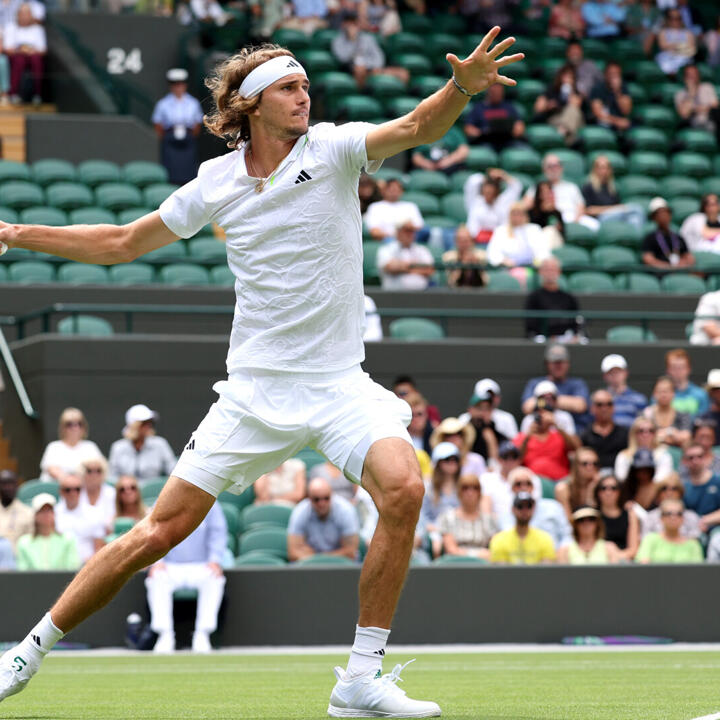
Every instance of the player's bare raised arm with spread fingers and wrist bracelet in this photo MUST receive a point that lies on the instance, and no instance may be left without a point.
(435, 115)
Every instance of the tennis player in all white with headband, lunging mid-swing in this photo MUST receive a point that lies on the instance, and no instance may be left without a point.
(287, 199)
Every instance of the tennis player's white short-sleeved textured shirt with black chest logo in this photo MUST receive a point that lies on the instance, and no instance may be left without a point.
(295, 250)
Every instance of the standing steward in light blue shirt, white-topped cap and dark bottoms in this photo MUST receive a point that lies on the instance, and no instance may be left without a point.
(177, 119)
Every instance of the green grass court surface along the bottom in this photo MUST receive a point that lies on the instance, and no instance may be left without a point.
(511, 686)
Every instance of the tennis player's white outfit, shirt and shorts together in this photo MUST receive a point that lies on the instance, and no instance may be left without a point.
(296, 343)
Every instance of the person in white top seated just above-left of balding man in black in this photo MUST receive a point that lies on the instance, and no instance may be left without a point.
(518, 242)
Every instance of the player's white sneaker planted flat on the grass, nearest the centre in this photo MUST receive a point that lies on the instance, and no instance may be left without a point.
(376, 696)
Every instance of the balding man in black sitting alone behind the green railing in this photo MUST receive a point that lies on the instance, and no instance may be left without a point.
(550, 297)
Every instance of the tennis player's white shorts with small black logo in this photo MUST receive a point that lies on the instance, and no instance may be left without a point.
(263, 418)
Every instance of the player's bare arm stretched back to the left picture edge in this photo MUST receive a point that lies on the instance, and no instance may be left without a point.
(99, 244)
